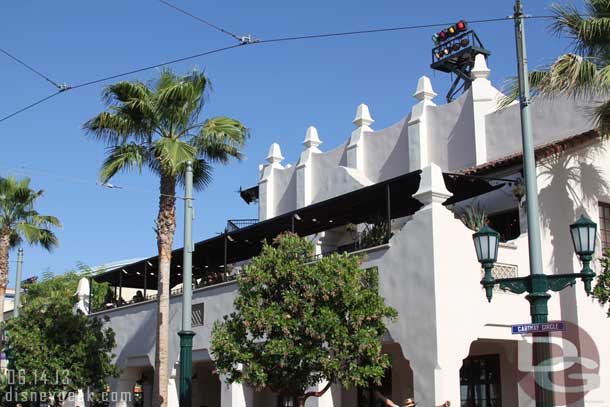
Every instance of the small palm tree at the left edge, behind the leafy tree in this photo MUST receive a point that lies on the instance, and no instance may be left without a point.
(19, 222)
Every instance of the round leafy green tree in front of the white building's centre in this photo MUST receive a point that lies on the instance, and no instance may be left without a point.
(298, 323)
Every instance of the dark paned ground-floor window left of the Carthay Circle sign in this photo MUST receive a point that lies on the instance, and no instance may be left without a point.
(480, 382)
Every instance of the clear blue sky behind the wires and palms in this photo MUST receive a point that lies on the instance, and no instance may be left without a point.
(277, 90)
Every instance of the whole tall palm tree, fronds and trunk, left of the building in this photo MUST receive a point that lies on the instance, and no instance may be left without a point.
(157, 125)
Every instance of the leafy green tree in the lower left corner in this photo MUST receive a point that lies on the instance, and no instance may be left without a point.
(55, 350)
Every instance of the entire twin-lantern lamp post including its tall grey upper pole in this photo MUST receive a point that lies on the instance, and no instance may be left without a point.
(537, 284)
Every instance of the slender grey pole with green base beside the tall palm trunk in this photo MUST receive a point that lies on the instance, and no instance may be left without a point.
(186, 334)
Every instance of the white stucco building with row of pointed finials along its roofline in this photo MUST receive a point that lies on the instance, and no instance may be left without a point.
(448, 343)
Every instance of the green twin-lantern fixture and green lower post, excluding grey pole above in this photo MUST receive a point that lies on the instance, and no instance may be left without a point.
(584, 235)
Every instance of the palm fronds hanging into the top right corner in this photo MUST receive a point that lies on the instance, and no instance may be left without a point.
(585, 71)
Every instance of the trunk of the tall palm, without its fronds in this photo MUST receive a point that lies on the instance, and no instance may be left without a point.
(166, 226)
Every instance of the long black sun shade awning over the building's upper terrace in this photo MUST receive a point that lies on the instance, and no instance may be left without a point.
(364, 205)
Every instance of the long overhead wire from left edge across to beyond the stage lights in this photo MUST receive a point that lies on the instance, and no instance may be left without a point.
(250, 41)
